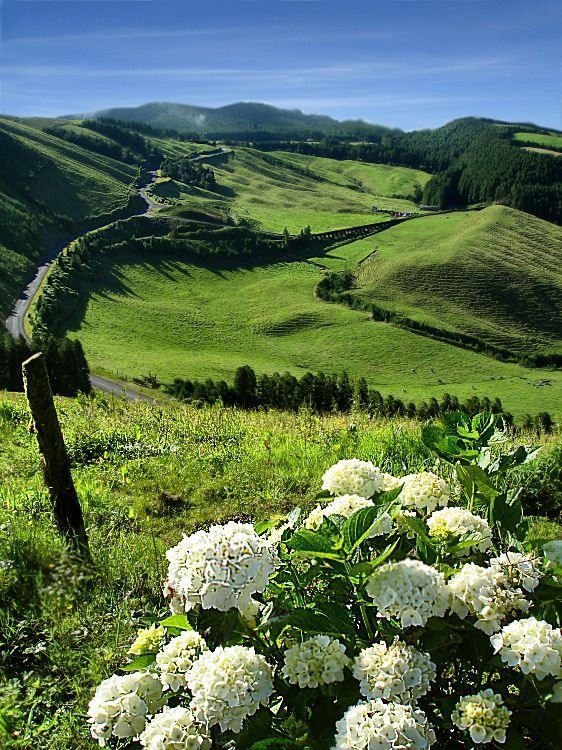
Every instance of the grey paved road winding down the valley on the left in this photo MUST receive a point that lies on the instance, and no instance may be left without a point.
(16, 318)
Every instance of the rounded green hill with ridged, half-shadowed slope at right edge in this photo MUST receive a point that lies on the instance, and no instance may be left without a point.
(495, 274)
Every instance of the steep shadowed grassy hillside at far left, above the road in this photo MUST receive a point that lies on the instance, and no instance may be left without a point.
(48, 188)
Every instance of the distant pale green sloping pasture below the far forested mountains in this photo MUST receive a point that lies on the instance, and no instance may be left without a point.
(274, 191)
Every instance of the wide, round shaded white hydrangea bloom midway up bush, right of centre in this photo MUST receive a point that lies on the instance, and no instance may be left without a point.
(408, 590)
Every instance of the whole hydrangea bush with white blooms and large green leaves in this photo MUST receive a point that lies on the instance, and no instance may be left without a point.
(402, 612)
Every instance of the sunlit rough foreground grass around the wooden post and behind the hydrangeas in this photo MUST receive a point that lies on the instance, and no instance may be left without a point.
(146, 475)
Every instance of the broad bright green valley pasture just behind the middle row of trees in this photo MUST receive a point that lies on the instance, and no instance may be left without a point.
(199, 320)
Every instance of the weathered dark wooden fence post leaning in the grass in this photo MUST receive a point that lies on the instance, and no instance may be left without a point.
(56, 464)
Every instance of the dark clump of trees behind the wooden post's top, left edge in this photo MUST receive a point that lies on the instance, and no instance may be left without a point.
(66, 363)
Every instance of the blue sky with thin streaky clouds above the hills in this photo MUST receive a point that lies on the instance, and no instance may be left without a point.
(404, 63)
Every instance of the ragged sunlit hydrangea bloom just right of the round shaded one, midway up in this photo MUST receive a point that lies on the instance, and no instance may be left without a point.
(487, 594)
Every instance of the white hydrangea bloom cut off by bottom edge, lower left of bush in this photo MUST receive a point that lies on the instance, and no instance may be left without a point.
(175, 729)
